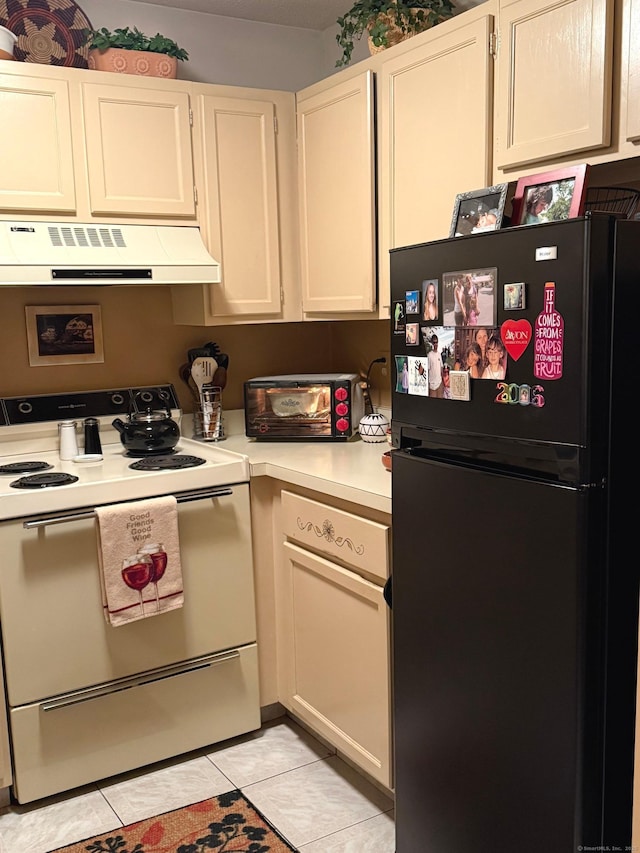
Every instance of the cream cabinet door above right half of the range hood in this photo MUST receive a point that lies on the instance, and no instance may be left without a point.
(138, 148)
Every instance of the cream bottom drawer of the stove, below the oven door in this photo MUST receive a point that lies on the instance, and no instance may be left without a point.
(58, 746)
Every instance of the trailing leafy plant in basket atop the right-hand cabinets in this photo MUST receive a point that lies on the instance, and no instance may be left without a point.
(388, 22)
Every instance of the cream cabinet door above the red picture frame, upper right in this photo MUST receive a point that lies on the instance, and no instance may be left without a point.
(554, 89)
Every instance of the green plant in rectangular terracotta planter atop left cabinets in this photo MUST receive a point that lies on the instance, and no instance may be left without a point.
(130, 51)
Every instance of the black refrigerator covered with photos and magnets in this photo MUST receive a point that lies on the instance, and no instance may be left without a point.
(515, 574)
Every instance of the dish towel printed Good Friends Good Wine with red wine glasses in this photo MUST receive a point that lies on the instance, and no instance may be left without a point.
(139, 559)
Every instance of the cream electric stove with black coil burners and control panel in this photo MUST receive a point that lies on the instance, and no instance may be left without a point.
(87, 700)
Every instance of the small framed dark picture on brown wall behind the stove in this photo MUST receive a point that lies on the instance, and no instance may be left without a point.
(64, 334)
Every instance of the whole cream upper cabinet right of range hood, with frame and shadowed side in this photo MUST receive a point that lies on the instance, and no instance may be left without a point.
(245, 165)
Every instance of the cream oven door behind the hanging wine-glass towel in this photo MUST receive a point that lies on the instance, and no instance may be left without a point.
(54, 634)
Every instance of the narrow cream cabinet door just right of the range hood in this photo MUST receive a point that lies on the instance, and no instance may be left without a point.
(241, 185)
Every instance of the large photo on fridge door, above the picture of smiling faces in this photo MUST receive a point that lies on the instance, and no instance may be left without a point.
(470, 297)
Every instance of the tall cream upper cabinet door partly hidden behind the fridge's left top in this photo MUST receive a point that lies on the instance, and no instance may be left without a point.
(436, 132)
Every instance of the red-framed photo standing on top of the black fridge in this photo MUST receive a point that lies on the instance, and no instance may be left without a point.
(550, 196)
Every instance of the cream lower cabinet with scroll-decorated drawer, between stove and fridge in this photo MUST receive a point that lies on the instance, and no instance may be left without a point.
(333, 630)
